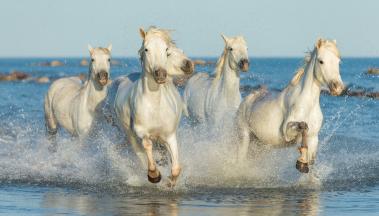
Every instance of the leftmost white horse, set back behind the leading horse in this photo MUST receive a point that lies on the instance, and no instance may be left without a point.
(73, 105)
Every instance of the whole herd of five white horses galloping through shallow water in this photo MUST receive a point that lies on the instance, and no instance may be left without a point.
(149, 110)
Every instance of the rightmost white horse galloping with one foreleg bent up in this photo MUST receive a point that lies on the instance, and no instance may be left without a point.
(294, 115)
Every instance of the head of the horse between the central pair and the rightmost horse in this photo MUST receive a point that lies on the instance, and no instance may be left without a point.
(236, 51)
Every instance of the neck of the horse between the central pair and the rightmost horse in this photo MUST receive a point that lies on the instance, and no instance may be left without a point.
(229, 82)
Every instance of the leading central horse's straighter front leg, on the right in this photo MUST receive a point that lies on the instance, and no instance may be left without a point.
(175, 166)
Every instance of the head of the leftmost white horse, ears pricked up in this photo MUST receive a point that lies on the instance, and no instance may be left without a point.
(100, 64)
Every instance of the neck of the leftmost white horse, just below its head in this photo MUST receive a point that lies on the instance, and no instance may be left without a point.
(92, 95)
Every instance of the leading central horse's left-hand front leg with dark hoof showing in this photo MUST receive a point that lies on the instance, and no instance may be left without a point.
(153, 174)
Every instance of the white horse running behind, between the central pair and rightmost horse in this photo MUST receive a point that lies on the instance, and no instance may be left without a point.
(208, 99)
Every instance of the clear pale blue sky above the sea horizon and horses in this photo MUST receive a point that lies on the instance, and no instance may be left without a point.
(44, 28)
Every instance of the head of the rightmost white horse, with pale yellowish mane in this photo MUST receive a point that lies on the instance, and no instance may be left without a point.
(327, 69)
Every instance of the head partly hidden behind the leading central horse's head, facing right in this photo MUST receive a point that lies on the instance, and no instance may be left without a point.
(178, 63)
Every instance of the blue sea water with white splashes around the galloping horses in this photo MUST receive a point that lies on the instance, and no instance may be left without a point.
(96, 177)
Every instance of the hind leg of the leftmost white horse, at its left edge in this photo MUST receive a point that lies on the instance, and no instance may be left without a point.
(51, 125)
